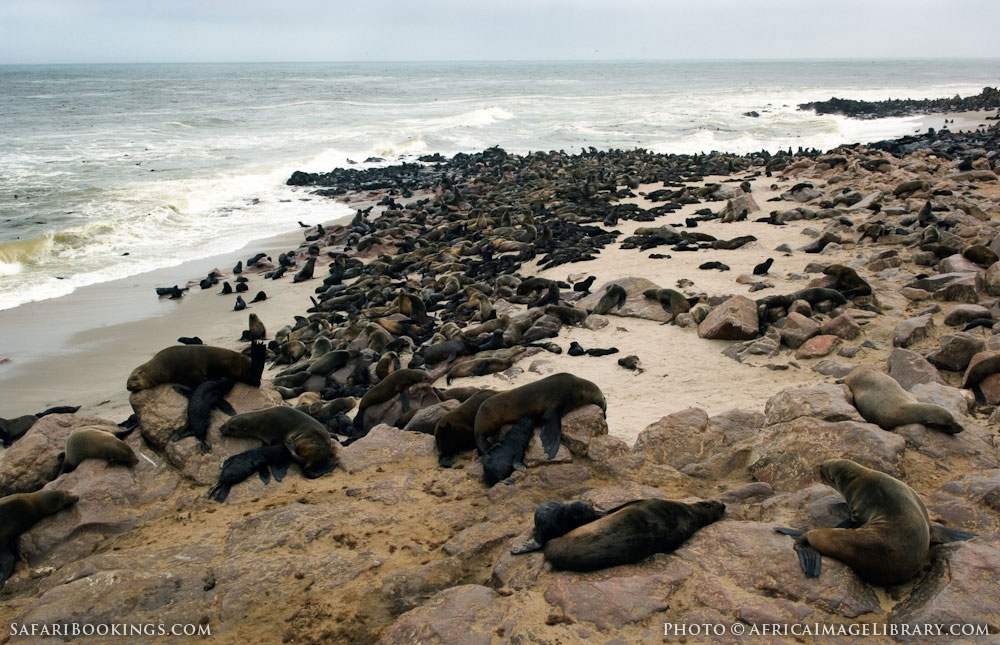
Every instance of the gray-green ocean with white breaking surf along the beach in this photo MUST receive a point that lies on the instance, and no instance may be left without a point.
(108, 171)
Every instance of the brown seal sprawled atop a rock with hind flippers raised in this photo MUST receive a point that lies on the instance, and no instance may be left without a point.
(190, 365)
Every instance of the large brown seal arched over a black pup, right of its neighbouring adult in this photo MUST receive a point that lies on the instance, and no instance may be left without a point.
(545, 401)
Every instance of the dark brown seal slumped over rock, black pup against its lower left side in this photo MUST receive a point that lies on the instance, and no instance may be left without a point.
(306, 438)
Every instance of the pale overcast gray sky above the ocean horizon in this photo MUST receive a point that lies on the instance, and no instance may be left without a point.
(93, 31)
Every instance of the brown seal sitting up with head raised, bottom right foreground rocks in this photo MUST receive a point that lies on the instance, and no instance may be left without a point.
(890, 532)
